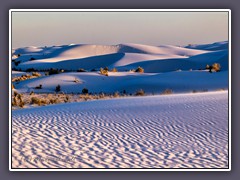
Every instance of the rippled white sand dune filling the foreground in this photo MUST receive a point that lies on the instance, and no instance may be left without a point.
(171, 131)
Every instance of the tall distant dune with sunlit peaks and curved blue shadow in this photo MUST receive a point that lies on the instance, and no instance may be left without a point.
(95, 56)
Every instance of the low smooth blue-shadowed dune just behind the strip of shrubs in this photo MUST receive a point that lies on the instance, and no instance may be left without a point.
(182, 81)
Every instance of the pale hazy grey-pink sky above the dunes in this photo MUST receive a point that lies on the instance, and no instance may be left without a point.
(109, 28)
